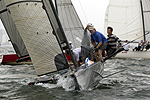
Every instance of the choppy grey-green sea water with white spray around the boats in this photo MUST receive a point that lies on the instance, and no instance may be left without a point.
(132, 84)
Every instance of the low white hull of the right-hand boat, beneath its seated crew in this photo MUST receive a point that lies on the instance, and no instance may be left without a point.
(134, 54)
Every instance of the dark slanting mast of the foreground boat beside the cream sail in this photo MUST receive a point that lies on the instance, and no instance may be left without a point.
(61, 30)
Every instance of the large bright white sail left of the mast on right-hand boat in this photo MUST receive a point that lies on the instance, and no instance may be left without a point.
(125, 16)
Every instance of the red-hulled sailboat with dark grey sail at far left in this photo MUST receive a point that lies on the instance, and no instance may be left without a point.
(15, 38)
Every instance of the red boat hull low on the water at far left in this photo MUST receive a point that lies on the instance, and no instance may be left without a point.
(10, 59)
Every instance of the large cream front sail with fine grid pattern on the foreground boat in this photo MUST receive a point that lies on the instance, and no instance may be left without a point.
(36, 32)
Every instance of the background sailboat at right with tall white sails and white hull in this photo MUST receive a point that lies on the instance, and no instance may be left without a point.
(130, 20)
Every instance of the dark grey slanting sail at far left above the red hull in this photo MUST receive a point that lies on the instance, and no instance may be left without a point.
(12, 31)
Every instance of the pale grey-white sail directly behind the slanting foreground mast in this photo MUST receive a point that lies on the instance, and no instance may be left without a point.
(70, 21)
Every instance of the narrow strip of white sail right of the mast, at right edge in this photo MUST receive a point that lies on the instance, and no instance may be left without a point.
(146, 17)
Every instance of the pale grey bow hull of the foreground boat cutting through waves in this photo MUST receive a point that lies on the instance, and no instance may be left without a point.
(90, 77)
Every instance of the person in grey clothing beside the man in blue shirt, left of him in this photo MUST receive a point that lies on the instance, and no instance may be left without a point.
(86, 50)
